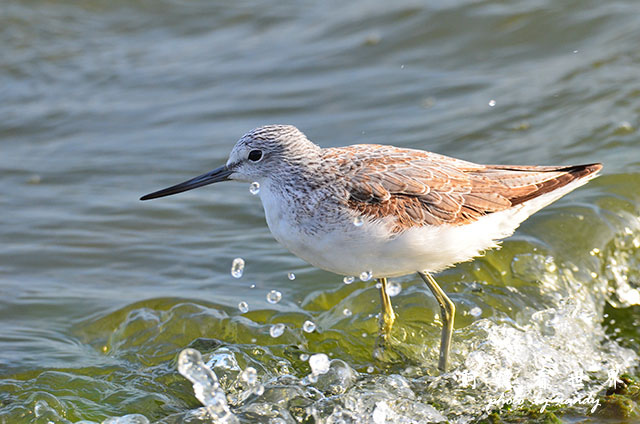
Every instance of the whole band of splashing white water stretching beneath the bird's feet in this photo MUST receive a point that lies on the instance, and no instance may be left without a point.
(560, 356)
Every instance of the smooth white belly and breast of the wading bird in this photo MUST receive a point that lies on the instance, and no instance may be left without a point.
(346, 249)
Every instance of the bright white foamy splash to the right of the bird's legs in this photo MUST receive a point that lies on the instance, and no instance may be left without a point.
(555, 359)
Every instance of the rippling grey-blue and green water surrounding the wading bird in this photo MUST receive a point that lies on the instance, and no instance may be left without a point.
(103, 102)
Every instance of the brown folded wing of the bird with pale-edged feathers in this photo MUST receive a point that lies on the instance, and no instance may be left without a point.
(421, 188)
